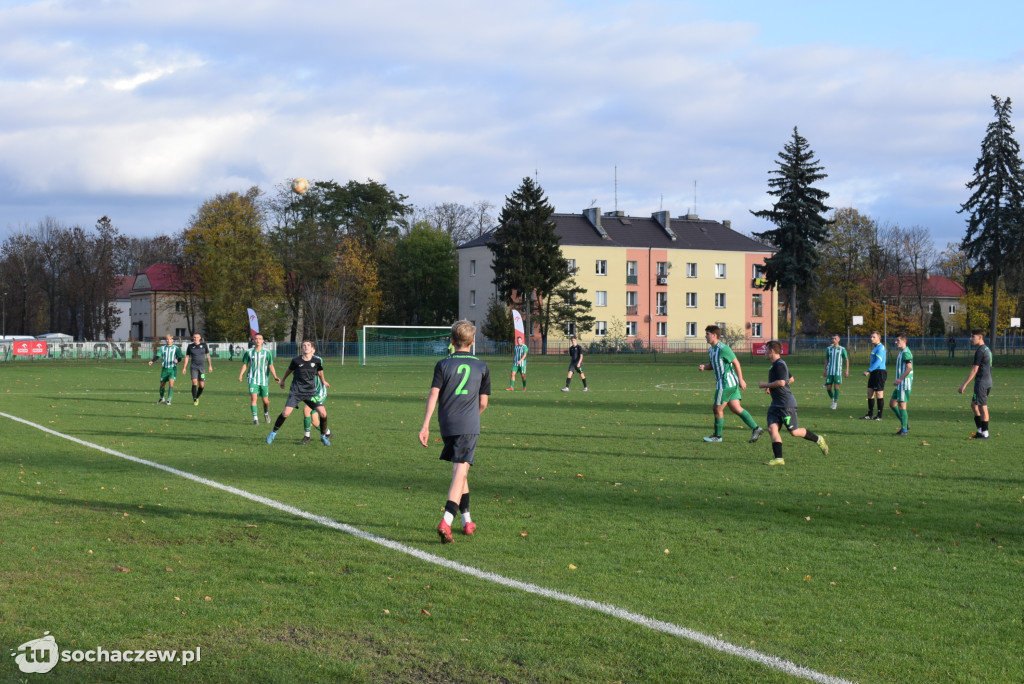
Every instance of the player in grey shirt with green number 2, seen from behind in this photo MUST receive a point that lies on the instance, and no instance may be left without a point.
(459, 391)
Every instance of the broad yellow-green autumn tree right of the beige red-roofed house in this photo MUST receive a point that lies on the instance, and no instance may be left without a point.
(230, 263)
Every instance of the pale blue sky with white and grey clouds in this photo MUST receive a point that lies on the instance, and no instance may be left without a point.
(141, 111)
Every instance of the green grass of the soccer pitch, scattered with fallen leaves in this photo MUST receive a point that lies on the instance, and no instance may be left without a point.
(891, 560)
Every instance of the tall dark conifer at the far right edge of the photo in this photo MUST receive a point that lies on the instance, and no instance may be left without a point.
(996, 225)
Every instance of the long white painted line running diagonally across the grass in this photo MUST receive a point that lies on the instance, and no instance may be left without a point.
(650, 623)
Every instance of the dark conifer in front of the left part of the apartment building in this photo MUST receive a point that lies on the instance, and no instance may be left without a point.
(528, 258)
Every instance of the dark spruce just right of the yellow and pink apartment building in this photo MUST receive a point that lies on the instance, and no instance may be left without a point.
(799, 216)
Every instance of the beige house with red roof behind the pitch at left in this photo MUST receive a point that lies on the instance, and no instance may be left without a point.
(159, 306)
